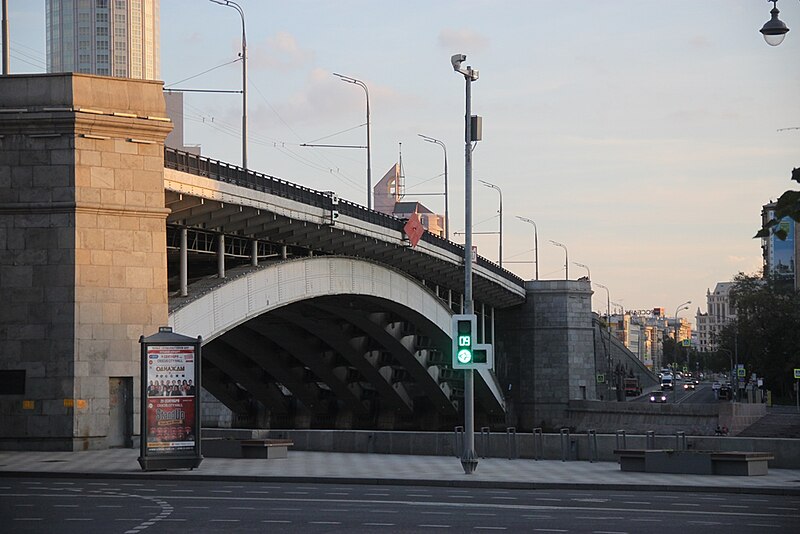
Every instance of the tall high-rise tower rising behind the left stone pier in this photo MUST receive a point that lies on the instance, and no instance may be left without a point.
(105, 37)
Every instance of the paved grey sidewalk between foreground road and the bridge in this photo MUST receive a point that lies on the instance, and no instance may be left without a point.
(395, 469)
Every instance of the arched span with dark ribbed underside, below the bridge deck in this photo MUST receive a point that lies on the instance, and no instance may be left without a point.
(328, 341)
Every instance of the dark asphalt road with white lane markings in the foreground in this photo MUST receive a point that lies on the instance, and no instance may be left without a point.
(30, 505)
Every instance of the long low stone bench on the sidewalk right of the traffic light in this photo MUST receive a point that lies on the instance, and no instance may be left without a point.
(693, 462)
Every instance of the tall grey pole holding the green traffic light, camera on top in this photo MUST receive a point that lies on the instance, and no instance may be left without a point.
(469, 460)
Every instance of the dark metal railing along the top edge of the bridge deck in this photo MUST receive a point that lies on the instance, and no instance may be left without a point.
(225, 172)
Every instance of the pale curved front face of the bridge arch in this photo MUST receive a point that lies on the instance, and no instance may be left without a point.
(277, 285)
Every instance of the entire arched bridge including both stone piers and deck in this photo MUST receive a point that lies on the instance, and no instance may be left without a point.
(314, 312)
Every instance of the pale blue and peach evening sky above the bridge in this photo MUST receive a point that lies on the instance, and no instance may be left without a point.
(643, 135)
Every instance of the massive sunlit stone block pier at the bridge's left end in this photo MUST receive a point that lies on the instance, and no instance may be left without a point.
(83, 240)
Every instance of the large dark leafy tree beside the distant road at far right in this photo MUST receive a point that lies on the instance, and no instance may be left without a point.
(765, 336)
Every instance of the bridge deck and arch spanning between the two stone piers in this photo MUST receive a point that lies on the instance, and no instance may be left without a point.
(319, 309)
